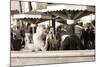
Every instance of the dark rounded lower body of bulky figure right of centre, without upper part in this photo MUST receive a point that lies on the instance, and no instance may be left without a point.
(71, 42)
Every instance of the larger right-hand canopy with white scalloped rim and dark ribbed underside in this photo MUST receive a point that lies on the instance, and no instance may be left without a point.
(69, 11)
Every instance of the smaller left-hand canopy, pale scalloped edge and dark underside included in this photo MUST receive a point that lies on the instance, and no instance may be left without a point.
(33, 16)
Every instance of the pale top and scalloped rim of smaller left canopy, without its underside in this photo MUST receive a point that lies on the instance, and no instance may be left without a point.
(31, 15)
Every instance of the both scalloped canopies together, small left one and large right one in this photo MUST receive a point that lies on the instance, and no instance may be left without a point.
(59, 12)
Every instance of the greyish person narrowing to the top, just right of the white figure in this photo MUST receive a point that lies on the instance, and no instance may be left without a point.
(51, 41)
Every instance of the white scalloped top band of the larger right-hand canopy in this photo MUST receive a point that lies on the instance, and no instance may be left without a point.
(57, 7)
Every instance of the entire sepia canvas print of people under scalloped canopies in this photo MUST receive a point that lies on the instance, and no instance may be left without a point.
(51, 33)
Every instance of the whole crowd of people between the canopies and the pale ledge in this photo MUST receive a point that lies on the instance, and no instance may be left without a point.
(66, 37)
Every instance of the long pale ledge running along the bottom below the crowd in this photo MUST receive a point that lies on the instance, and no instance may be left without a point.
(49, 57)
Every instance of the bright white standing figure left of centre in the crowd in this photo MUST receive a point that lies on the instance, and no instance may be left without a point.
(39, 39)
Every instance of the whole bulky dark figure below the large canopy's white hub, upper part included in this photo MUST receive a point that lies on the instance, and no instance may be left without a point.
(70, 41)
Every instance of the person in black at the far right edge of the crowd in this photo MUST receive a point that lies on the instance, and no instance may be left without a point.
(89, 37)
